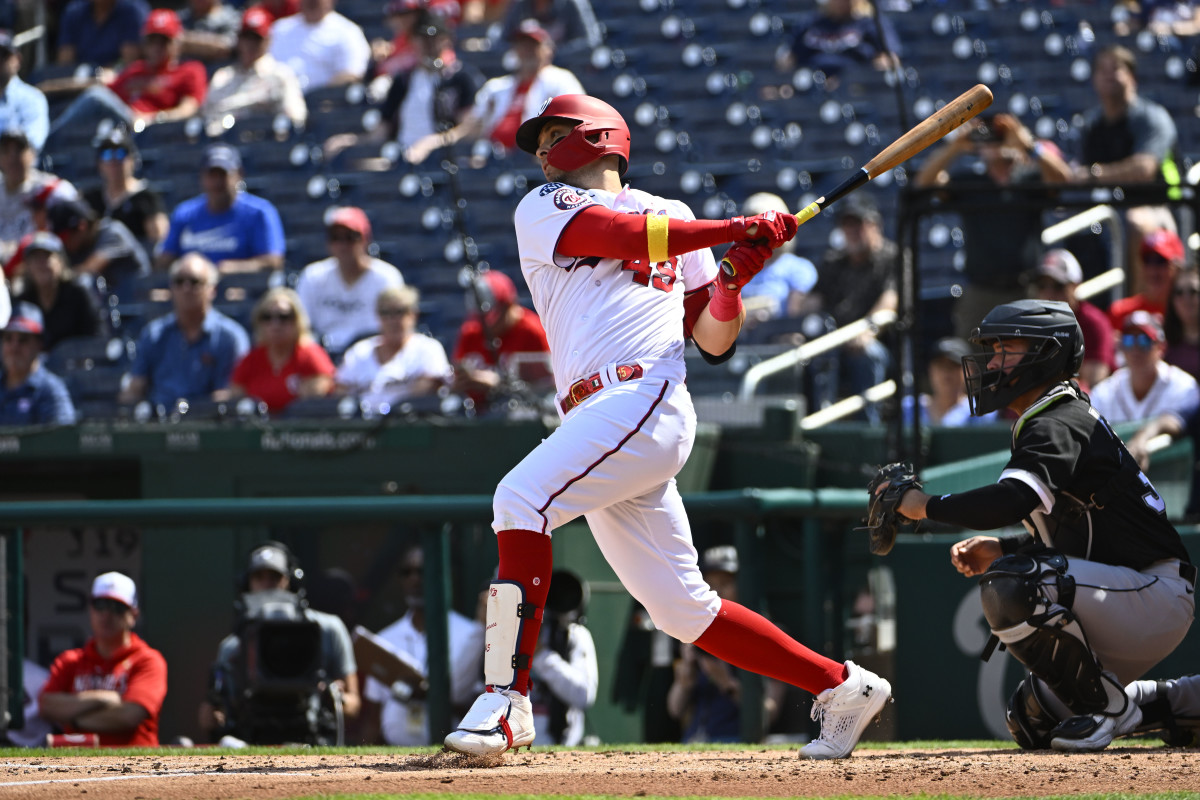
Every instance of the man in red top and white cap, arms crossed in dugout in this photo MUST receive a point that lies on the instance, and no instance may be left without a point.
(115, 685)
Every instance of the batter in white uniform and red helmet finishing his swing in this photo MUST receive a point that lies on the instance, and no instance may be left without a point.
(621, 280)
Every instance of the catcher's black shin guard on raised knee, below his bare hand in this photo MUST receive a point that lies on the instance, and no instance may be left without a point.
(1043, 635)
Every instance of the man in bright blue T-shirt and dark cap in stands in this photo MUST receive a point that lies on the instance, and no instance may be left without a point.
(237, 231)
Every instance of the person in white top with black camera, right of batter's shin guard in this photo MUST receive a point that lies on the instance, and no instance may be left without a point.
(565, 669)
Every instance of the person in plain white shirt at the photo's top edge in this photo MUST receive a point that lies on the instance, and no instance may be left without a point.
(322, 47)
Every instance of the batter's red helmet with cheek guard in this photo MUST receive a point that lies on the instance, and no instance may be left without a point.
(592, 118)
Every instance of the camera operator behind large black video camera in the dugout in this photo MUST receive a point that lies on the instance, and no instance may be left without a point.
(287, 673)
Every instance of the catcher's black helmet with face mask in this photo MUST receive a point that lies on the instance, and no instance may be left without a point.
(1055, 352)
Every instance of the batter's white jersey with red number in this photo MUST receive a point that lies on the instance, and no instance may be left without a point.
(603, 311)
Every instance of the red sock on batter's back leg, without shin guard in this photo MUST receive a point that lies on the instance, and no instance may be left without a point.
(749, 641)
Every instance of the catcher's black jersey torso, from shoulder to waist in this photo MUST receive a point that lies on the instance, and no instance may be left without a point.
(1105, 507)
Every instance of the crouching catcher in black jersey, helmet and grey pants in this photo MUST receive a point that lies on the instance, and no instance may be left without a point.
(1101, 588)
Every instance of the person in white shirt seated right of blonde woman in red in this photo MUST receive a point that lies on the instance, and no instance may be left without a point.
(398, 365)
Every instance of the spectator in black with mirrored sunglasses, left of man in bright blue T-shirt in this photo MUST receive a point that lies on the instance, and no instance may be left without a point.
(121, 195)
